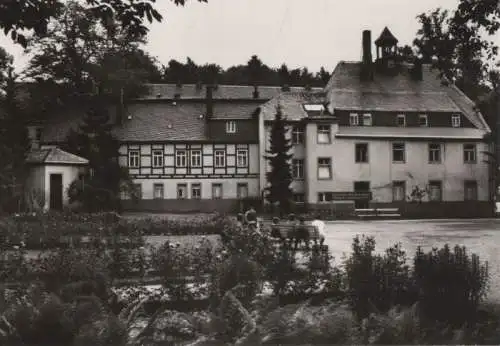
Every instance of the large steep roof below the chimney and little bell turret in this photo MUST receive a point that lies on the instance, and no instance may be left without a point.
(346, 91)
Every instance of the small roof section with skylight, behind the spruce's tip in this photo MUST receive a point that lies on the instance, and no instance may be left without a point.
(292, 105)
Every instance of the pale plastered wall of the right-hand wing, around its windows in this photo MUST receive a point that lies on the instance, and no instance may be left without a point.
(380, 171)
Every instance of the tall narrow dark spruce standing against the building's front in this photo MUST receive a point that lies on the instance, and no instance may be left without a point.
(280, 176)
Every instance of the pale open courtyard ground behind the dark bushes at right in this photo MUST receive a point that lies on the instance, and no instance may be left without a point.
(479, 236)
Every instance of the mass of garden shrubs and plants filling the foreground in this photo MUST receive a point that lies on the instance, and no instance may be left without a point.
(371, 299)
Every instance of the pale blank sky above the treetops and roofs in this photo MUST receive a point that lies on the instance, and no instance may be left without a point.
(300, 33)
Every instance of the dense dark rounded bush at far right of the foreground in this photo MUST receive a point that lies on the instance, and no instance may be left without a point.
(451, 283)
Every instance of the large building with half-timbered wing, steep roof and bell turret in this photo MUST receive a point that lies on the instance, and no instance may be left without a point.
(380, 129)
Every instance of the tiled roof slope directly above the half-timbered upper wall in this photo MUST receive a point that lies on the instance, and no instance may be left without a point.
(163, 122)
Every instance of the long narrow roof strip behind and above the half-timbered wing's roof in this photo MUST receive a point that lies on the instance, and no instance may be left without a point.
(225, 92)
